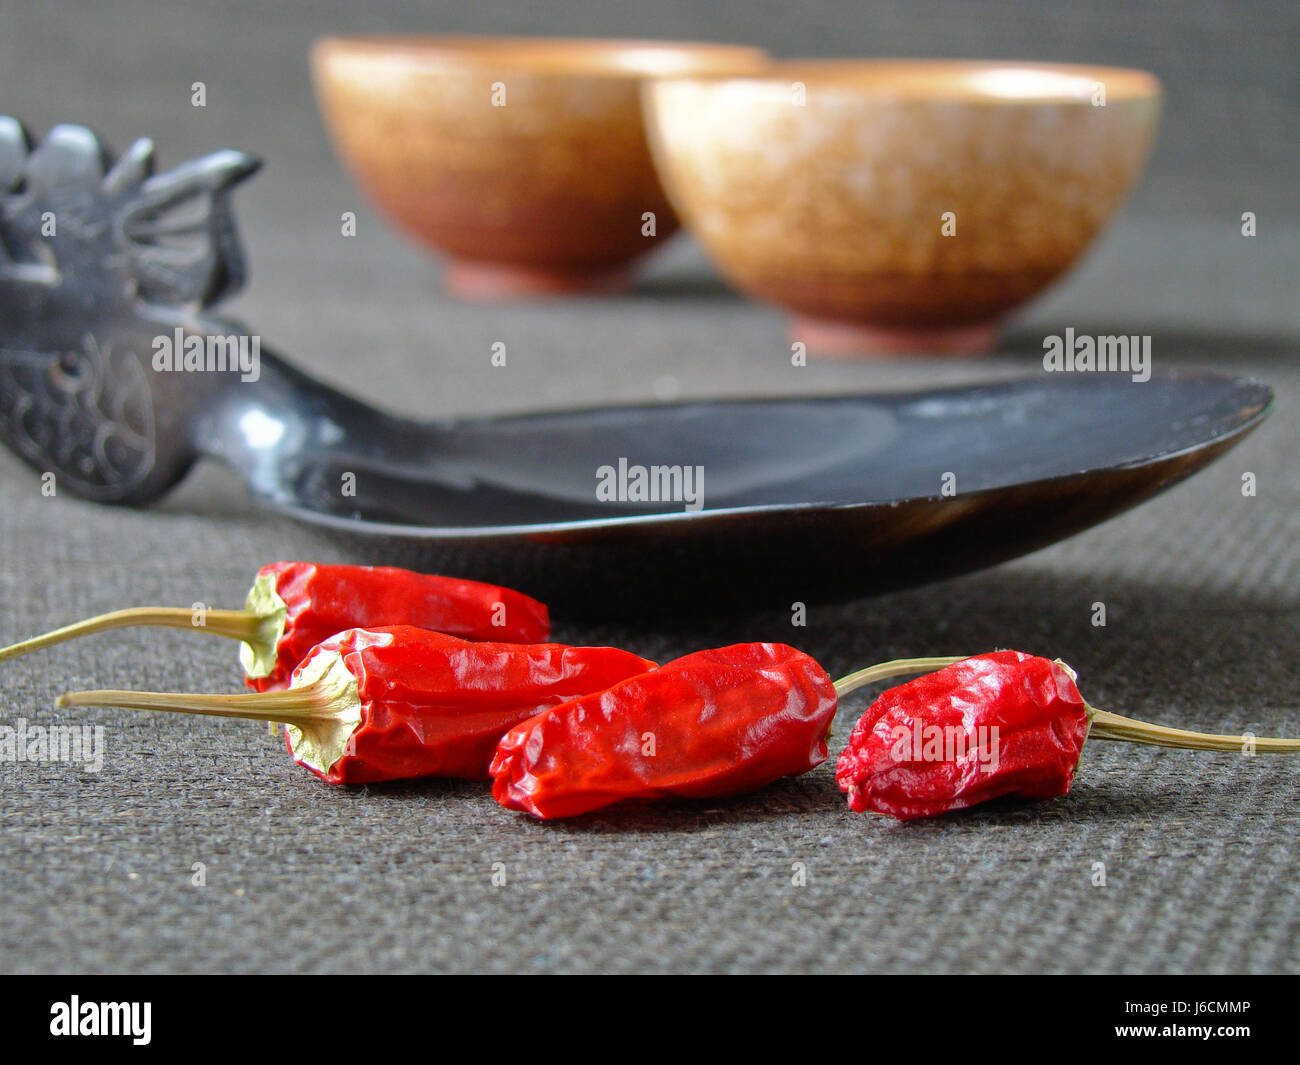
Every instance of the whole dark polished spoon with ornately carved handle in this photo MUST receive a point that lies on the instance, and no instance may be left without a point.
(804, 499)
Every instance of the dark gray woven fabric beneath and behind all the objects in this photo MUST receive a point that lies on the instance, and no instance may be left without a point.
(1203, 586)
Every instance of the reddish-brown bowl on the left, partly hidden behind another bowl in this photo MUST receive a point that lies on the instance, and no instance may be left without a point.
(523, 159)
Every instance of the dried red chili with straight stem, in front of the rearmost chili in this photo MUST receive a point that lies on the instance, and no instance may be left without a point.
(398, 703)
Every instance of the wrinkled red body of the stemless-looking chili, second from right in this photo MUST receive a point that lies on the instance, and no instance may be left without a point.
(713, 724)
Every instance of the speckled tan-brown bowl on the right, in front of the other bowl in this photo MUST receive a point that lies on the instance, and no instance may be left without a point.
(900, 206)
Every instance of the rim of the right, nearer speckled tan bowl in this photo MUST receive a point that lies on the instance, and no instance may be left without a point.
(935, 81)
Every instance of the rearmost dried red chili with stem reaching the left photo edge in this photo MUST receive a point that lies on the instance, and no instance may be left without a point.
(296, 605)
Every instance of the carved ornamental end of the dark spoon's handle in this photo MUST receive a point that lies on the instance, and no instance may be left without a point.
(98, 257)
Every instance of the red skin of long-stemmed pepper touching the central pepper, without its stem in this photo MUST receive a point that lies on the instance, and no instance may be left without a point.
(432, 705)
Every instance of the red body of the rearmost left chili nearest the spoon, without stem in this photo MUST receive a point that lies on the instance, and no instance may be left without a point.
(326, 600)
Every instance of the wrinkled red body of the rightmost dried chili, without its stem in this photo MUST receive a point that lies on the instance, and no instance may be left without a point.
(930, 746)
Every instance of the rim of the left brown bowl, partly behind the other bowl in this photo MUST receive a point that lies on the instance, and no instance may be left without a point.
(554, 57)
